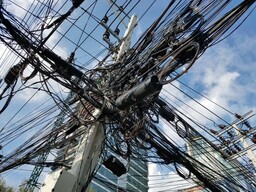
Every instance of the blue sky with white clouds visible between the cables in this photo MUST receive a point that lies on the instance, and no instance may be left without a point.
(225, 74)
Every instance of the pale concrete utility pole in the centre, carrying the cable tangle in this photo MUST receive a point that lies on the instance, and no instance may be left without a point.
(89, 148)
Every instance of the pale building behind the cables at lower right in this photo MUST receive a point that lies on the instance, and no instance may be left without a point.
(230, 175)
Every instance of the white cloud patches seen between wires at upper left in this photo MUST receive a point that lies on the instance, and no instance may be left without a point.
(8, 58)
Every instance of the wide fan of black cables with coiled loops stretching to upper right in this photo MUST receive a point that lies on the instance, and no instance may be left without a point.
(178, 38)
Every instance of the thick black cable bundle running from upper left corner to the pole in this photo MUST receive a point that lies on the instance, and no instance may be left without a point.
(60, 66)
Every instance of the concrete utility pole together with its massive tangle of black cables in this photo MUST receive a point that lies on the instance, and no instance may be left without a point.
(129, 103)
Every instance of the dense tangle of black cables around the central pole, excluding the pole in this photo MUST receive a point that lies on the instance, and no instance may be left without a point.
(165, 52)
